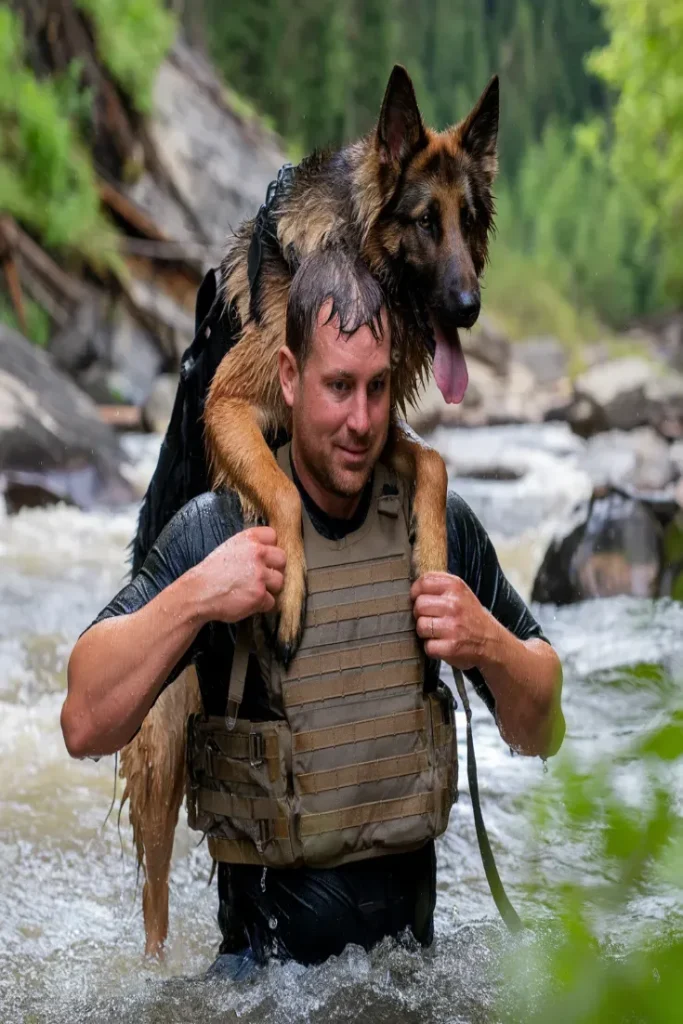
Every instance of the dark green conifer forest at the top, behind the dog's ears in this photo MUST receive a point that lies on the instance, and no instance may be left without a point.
(320, 67)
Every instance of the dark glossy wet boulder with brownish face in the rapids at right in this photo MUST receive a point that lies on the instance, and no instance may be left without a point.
(616, 548)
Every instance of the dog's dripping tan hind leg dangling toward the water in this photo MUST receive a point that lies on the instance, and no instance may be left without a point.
(154, 766)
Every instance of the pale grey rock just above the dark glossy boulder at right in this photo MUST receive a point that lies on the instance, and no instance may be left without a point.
(638, 459)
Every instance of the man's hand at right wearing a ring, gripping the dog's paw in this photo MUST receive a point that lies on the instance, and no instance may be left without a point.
(451, 620)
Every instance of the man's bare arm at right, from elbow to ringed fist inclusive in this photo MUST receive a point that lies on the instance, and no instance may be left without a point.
(524, 676)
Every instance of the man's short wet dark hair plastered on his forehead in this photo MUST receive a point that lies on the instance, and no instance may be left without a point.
(335, 275)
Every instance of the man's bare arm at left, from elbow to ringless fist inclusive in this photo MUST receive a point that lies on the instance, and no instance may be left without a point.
(119, 666)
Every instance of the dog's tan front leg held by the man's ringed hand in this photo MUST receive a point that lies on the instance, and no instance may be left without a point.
(414, 460)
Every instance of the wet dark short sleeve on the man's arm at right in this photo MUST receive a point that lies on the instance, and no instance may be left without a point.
(474, 559)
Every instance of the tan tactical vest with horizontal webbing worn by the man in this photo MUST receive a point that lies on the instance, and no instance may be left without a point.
(361, 762)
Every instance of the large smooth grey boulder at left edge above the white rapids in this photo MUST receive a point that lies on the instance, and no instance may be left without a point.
(53, 443)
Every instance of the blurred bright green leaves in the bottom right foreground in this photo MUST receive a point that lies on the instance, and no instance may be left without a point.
(571, 973)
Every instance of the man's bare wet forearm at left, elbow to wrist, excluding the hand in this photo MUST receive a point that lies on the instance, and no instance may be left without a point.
(119, 666)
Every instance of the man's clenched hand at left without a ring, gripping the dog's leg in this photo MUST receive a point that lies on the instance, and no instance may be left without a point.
(241, 578)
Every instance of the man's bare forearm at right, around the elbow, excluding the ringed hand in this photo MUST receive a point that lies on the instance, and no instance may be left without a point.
(526, 679)
